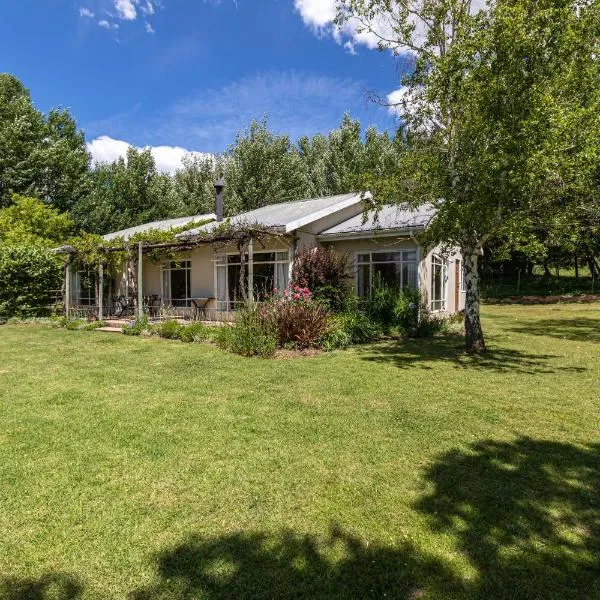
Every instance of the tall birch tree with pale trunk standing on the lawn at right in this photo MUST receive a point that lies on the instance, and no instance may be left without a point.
(484, 141)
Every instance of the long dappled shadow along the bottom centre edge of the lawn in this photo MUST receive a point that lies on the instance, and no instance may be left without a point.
(264, 566)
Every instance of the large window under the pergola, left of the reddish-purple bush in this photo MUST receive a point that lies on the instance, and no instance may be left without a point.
(270, 270)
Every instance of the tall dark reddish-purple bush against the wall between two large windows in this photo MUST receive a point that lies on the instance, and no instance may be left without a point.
(326, 273)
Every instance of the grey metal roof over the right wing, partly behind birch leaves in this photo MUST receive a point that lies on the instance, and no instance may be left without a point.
(391, 217)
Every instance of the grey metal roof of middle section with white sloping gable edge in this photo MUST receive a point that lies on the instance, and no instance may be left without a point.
(287, 215)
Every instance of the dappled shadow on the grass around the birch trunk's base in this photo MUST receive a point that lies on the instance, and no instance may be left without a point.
(424, 354)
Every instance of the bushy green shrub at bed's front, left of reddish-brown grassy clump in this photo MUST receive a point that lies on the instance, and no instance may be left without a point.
(251, 335)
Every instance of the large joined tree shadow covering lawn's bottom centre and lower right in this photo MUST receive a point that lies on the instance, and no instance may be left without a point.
(524, 514)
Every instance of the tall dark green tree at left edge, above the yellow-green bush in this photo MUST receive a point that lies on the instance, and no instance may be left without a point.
(41, 156)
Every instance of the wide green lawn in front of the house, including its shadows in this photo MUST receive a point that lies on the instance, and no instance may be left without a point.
(151, 470)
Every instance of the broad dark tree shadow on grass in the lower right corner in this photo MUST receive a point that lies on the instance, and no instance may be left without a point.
(525, 513)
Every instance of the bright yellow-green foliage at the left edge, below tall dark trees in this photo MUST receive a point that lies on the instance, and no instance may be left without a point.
(31, 221)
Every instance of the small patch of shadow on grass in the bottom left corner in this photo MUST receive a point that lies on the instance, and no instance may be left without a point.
(52, 586)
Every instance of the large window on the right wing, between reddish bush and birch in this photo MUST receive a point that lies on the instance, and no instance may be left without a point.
(397, 269)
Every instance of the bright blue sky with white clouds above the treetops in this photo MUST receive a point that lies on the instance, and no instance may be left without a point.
(187, 75)
